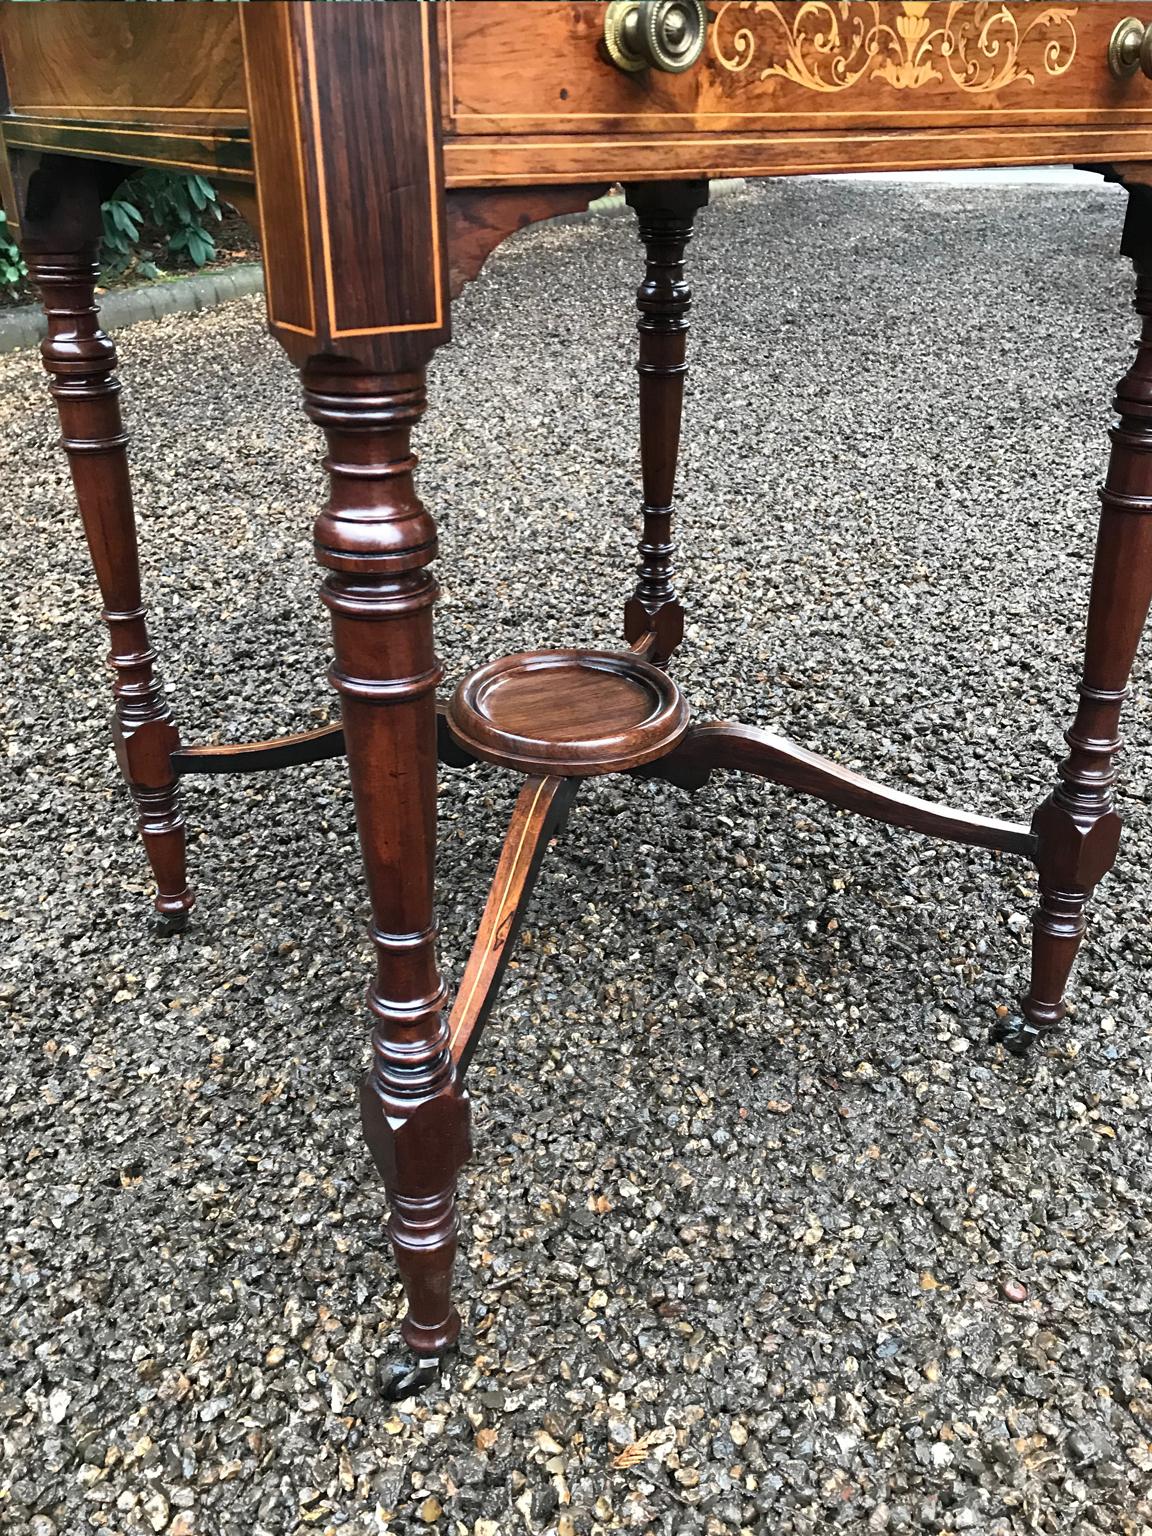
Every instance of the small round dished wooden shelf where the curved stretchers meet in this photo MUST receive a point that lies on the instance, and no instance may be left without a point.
(572, 713)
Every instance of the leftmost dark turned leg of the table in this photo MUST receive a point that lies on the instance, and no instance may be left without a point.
(81, 362)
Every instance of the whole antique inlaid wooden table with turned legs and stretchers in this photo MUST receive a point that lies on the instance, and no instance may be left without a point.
(386, 150)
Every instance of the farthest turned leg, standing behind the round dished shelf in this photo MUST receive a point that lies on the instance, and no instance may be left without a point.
(666, 213)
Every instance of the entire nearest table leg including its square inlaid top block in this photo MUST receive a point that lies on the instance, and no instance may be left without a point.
(354, 219)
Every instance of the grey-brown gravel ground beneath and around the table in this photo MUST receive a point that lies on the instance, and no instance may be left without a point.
(750, 1188)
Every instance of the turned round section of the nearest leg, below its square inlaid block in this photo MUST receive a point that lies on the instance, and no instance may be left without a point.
(377, 541)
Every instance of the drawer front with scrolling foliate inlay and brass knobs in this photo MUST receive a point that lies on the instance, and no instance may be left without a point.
(541, 68)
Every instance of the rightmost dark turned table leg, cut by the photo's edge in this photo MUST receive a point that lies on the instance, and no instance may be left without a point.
(1078, 827)
